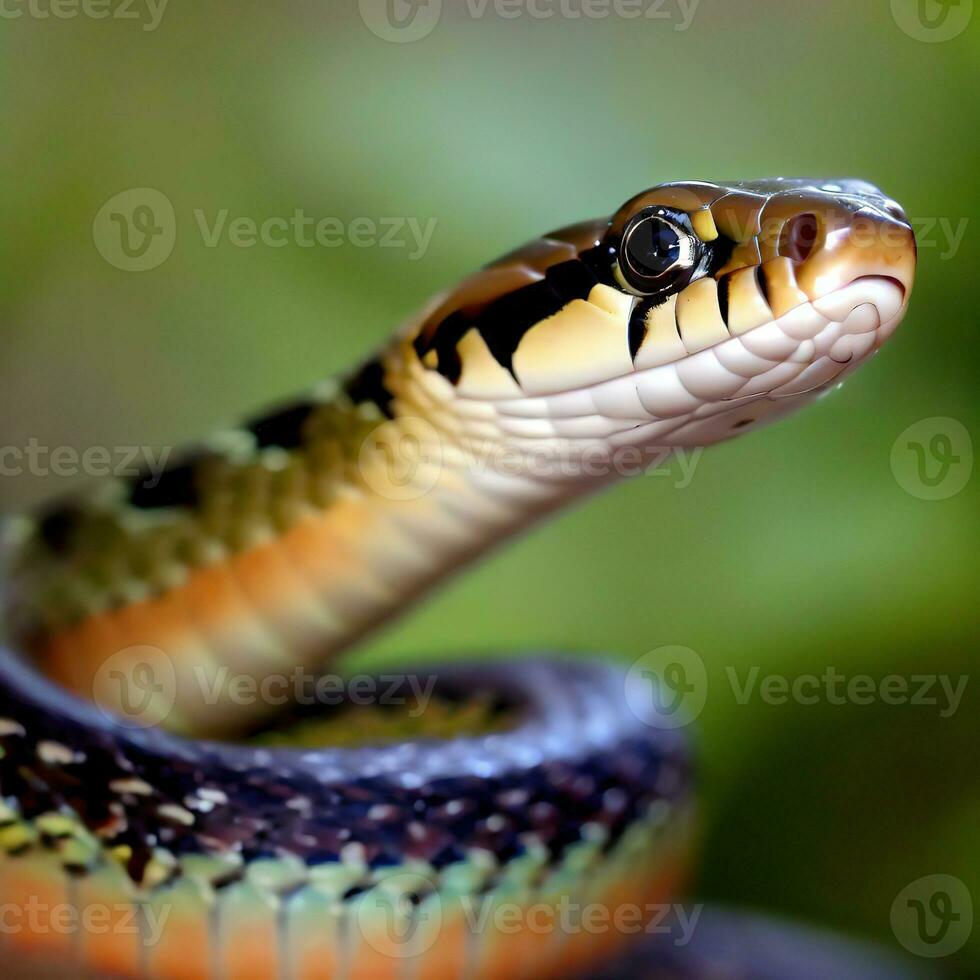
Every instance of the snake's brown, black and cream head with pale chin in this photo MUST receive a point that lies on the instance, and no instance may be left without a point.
(695, 311)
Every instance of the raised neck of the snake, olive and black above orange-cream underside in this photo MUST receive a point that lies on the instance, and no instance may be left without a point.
(278, 543)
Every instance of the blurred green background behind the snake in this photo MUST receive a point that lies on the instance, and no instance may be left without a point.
(793, 549)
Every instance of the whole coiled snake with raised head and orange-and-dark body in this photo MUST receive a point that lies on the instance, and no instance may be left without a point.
(226, 836)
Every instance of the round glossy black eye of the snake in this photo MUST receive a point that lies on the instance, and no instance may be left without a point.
(658, 253)
